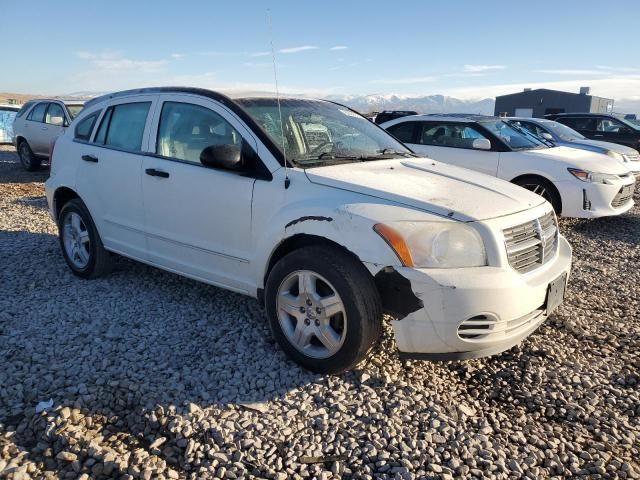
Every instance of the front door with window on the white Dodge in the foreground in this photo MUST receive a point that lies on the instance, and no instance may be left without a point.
(198, 219)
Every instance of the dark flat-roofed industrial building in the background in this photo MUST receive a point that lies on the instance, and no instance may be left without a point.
(539, 102)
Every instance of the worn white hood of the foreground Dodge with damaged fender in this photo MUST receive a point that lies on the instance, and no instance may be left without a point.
(430, 186)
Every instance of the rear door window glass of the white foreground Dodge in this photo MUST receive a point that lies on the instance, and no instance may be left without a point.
(123, 126)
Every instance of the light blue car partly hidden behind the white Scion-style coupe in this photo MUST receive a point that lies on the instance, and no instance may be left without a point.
(562, 135)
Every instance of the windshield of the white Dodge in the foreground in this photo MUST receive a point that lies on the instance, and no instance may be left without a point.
(319, 133)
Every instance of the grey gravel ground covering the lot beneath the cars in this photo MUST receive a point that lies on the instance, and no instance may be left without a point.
(155, 376)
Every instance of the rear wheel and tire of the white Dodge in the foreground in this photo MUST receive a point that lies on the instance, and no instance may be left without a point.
(80, 243)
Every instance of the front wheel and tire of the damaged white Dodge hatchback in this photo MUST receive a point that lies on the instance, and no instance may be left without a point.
(324, 309)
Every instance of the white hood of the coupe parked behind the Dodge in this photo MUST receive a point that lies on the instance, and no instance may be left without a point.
(578, 158)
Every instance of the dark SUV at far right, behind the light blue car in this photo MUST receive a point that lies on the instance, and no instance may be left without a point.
(596, 126)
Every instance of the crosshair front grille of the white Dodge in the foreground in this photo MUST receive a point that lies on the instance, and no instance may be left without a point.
(532, 244)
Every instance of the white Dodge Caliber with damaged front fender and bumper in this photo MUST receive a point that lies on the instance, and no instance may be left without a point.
(193, 182)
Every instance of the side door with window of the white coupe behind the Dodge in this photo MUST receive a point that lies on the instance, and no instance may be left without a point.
(453, 143)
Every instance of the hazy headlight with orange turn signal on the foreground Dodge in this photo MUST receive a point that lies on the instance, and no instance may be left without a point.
(434, 244)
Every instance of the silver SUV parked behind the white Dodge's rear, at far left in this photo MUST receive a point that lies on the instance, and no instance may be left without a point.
(38, 124)
